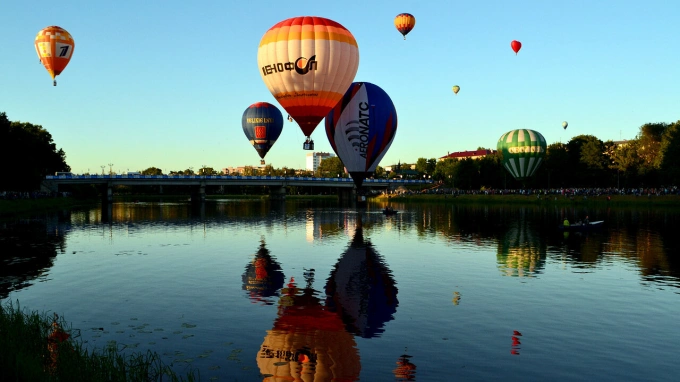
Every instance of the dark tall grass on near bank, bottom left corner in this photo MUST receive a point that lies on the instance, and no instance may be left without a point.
(25, 355)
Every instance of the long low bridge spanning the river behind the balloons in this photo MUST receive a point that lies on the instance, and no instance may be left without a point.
(198, 183)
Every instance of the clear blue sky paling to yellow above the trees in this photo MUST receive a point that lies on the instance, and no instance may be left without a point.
(164, 83)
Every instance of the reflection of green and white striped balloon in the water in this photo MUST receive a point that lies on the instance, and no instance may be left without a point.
(521, 252)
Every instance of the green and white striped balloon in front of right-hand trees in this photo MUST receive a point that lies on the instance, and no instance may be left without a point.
(523, 151)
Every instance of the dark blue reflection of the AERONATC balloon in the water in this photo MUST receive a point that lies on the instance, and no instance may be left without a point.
(361, 288)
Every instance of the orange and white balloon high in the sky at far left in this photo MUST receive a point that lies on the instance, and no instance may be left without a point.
(54, 46)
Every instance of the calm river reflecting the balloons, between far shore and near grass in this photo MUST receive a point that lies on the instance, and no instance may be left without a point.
(259, 291)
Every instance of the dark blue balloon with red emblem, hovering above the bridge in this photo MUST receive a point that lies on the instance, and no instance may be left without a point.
(262, 123)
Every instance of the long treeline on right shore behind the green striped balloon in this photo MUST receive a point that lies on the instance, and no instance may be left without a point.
(652, 159)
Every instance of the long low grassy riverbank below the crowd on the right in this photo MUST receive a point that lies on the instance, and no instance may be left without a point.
(653, 201)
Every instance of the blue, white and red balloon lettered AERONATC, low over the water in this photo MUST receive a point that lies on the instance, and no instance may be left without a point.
(361, 128)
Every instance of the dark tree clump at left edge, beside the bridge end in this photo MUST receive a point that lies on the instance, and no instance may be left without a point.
(28, 152)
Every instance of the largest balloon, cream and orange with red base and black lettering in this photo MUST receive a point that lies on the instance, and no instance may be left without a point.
(307, 64)
